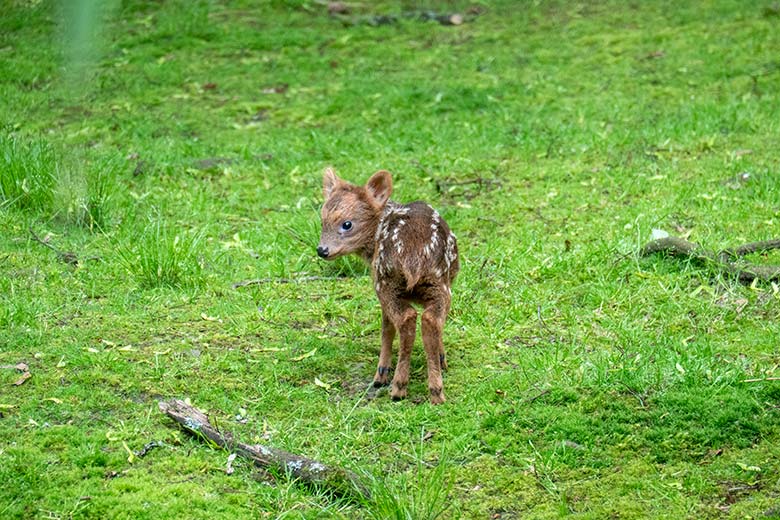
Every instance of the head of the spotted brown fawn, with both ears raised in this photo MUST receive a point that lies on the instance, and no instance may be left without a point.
(351, 214)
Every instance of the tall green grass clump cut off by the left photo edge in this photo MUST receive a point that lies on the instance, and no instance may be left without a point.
(27, 174)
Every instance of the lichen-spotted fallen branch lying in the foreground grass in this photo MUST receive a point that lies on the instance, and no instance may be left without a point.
(339, 481)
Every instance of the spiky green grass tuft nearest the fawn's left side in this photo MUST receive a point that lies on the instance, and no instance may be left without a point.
(161, 256)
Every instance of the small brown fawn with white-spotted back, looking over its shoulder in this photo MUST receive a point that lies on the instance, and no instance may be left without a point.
(414, 259)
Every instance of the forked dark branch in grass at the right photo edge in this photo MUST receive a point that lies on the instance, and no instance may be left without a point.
(725, 260)
